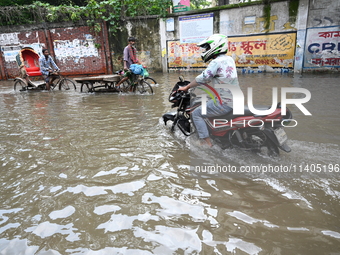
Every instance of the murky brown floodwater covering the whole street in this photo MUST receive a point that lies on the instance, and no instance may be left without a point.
(101, 174)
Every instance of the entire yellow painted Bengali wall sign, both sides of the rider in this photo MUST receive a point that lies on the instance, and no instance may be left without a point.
(275, 50)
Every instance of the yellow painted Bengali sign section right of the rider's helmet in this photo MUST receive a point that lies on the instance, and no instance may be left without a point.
(275, 50)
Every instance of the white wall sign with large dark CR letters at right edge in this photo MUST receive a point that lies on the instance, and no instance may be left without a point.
(322, 47)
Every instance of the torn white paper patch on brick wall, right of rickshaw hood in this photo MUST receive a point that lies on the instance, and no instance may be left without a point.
(76, 48)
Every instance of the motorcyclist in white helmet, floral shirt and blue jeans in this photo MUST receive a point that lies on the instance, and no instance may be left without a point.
(221, 70)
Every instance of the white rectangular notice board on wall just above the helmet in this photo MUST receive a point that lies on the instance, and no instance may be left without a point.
(196, 28)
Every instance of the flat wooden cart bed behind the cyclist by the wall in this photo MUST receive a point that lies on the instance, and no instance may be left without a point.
(101, 83)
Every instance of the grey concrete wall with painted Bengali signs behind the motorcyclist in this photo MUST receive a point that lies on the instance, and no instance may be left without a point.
(307, 42)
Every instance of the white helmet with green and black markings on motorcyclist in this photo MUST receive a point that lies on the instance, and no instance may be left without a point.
(213, 45)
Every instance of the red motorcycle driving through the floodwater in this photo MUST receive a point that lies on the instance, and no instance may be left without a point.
(248, 131)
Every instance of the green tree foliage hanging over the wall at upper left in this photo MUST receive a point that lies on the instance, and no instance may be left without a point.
(113, 11)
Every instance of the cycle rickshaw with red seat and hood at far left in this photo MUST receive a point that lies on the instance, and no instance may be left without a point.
(28, 62)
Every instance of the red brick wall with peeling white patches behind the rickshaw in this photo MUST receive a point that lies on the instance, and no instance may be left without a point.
(73, 48)
